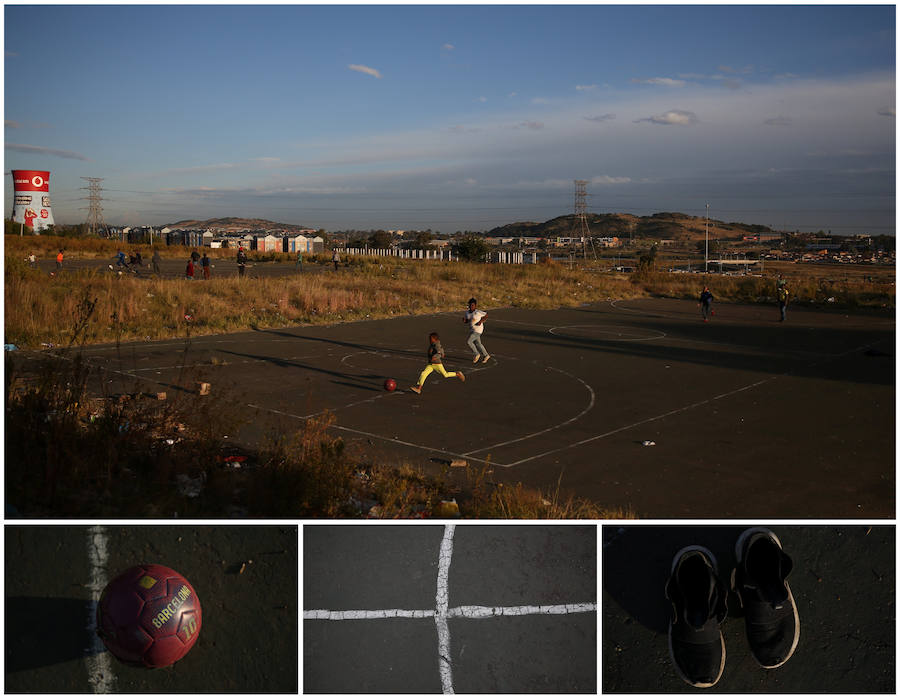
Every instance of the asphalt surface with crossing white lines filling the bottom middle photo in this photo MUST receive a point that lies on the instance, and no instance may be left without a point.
(452, 609)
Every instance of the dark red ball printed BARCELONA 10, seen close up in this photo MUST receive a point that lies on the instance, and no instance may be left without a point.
(149, 615)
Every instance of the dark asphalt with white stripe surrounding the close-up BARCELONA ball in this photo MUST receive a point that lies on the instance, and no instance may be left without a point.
(248, 640)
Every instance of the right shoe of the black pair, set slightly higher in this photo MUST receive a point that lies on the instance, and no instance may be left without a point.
(773, 625)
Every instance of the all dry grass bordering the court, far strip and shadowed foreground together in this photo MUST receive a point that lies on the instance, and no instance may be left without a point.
(74, 449)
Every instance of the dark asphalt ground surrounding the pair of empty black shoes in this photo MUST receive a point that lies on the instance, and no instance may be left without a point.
(843, 582)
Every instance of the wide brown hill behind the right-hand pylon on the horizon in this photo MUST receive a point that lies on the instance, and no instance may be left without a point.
(662, 225)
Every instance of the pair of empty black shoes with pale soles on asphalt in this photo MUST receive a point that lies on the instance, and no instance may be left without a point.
(699, 606)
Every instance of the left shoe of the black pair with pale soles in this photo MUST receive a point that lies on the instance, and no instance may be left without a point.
(698, 601)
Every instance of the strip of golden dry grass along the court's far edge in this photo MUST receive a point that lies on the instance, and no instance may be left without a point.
(126, 307)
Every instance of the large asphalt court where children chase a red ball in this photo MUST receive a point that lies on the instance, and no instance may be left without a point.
(750, 417)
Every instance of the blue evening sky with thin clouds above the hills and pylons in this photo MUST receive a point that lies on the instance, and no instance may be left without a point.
(456, 117)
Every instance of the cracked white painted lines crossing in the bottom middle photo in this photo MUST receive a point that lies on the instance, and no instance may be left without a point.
(443, 612)
